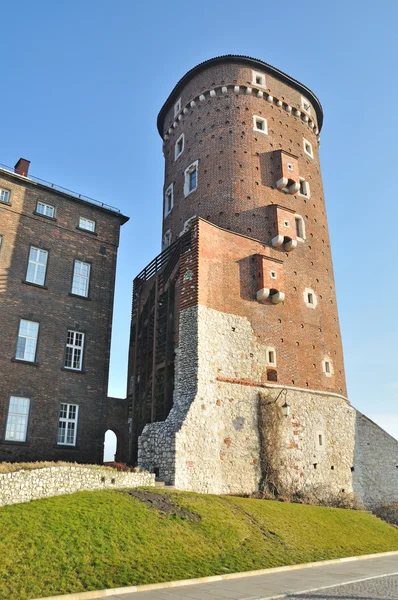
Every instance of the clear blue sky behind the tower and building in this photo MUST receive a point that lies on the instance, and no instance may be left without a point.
(83, 81)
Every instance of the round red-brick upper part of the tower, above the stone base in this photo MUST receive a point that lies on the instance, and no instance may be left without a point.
(241, 143)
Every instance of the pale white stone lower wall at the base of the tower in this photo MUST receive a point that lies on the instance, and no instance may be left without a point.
(218, 435)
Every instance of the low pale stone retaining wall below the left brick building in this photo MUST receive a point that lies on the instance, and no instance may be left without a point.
(23, 486)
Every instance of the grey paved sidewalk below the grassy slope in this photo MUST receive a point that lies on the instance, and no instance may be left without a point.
(262, 587)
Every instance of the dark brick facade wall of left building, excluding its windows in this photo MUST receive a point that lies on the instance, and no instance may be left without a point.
(56, 311)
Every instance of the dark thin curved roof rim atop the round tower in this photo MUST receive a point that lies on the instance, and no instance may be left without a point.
(247, 60)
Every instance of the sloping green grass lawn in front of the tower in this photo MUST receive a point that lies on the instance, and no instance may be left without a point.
(96, 540)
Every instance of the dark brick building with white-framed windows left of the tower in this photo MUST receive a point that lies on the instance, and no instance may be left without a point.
(57, 271)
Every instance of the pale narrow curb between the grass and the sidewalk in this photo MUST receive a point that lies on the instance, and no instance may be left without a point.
(170, 584)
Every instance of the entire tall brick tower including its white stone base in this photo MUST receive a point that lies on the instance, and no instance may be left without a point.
(236, 373)
